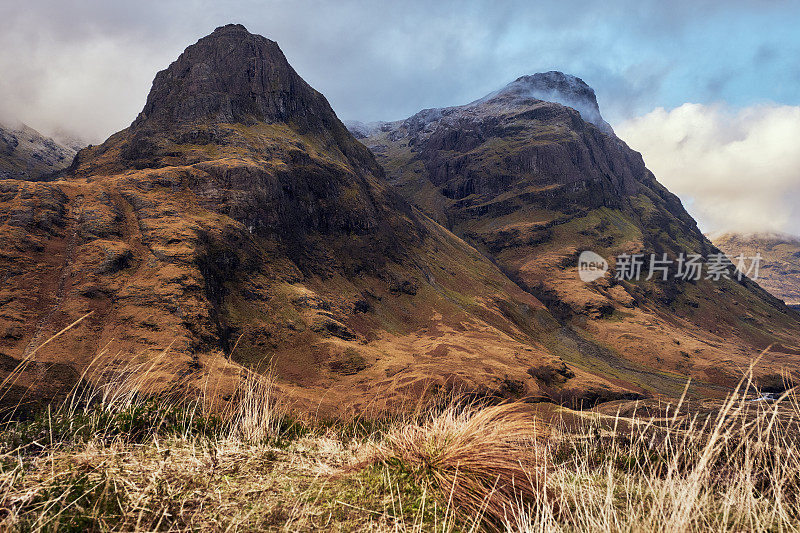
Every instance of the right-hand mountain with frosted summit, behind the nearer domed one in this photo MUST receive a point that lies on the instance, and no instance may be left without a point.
(532, 184)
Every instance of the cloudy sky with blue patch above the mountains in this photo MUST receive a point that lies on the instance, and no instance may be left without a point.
(708, 91)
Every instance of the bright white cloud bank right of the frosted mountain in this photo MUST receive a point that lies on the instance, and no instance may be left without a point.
(734, 170)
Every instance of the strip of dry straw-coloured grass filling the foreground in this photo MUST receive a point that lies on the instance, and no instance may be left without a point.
(117, 461)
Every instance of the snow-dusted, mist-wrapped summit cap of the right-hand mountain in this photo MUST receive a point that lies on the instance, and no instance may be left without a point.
(558, 87)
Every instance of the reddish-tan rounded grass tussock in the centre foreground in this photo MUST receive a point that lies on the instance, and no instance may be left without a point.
(480, 459)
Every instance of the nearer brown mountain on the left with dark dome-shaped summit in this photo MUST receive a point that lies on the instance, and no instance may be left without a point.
(237, 223)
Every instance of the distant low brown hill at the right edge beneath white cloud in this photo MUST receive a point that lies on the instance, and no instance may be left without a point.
(779, 271)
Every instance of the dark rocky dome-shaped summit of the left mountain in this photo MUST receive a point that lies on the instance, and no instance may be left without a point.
(232, 76)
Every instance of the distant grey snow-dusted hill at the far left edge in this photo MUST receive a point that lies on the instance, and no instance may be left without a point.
(27, 154)
